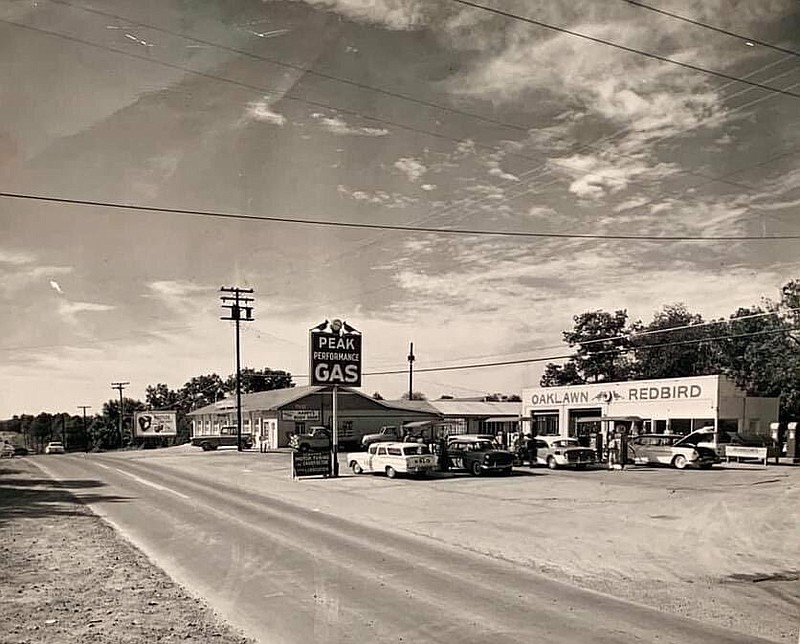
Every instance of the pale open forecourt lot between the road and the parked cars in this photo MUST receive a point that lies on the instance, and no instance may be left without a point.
(719, 546)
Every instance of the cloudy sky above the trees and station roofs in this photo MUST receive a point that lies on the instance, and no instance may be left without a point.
(398, 112)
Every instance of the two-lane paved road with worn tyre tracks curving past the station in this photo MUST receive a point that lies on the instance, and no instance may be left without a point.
(288, 574)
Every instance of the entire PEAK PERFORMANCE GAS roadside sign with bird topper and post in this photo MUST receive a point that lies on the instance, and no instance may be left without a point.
(335, 360)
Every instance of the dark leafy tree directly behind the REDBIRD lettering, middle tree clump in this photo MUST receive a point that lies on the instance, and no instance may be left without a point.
(663, 353)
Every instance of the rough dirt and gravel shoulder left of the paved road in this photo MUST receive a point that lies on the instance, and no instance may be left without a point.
(66, 576)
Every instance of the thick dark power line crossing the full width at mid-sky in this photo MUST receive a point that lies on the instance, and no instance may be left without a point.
(392, 227)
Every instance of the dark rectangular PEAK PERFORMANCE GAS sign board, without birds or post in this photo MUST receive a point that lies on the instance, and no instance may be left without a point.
(335, 359)
